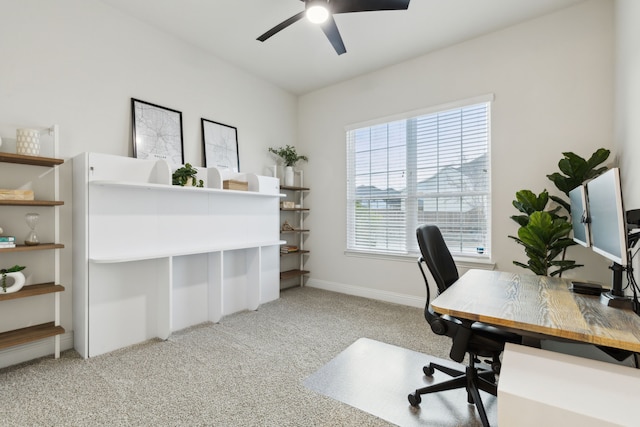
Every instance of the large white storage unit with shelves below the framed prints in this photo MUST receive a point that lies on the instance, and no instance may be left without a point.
(151, 258)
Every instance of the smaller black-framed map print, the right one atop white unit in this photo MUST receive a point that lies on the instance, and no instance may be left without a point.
(220, 145)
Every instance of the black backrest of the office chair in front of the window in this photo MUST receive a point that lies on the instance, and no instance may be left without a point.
(437, 256)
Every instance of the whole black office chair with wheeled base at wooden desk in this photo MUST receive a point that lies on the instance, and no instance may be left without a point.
(476, 339)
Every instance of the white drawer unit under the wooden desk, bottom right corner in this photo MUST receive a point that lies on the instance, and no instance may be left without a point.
(544, 388)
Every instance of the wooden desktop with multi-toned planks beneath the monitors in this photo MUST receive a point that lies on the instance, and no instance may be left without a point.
(540, 305)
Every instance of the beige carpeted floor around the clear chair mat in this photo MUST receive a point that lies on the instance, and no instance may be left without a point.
(247, 370)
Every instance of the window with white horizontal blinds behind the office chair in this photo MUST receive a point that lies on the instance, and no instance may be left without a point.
(428, 168)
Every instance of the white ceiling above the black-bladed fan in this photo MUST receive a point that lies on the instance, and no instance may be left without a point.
(300, 59)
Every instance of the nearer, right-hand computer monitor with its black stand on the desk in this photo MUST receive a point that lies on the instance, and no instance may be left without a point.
(608, 227)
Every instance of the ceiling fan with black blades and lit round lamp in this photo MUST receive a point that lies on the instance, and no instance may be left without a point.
(321, 12)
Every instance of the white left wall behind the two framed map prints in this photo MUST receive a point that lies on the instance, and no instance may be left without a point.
(77, 63)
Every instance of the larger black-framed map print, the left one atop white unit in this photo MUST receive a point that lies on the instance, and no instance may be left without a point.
(157, 132)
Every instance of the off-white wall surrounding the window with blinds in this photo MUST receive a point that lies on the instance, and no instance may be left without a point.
(553, 83)
